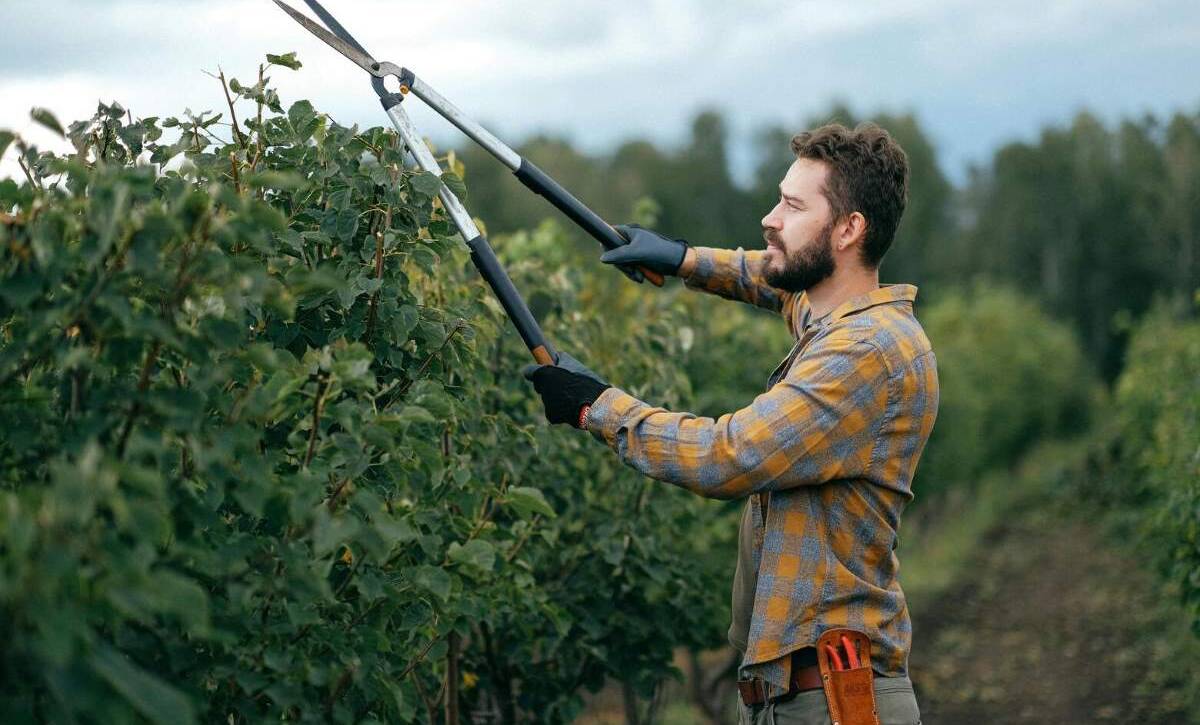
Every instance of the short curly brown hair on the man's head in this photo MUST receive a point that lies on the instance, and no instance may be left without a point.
(868, 173)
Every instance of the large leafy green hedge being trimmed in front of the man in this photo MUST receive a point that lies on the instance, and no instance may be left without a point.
(268, 453)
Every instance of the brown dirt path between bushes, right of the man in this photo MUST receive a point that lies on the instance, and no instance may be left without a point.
(1053, 625)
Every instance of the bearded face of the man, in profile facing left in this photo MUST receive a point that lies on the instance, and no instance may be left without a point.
(800, 230)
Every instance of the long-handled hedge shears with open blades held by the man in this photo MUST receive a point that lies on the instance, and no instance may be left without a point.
(482, 254)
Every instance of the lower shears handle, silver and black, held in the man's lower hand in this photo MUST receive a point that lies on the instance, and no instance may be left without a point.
(482, 254)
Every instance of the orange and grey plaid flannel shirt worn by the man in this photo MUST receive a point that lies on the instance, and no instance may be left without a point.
(827, 457)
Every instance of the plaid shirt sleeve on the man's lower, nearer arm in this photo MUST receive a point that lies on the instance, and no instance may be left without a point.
(821, 423)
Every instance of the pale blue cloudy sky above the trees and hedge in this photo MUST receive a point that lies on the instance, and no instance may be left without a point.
(977, 74)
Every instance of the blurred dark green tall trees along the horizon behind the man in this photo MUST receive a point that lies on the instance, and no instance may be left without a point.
(1094, 220)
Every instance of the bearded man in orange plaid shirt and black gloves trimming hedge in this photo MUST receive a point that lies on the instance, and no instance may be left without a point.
(827, 456)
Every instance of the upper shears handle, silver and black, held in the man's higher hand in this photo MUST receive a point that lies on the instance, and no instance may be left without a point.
(530, 175)
